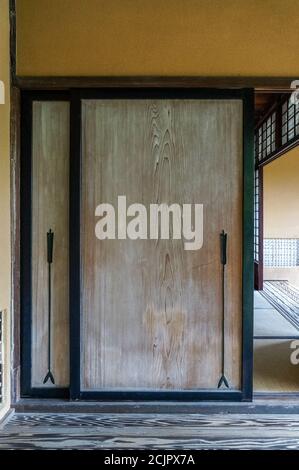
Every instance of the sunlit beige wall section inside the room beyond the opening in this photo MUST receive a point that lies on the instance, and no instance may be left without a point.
(281, 197)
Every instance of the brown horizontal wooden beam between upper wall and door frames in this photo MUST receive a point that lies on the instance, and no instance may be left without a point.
(261, 84)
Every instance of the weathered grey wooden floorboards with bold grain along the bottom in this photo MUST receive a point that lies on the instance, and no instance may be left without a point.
(150, 431)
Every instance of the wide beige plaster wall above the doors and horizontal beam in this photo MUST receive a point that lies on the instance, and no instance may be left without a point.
(158, 37)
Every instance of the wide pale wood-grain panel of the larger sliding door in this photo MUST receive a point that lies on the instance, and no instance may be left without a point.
(151, 311)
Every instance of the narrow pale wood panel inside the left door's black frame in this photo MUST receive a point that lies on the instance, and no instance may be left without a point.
(50, 208)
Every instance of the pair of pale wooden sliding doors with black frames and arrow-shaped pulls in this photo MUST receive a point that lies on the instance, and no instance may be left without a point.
(127, 317)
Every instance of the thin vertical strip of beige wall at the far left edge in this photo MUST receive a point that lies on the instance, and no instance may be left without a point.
(5, 198)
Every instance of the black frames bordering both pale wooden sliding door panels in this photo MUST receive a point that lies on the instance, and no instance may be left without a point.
(76, 95)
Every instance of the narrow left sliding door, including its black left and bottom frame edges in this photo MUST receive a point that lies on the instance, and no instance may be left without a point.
(45, 208)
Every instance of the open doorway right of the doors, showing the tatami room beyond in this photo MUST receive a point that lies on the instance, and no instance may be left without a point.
(276, 245)
